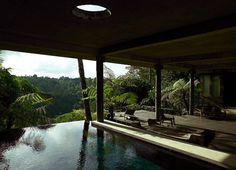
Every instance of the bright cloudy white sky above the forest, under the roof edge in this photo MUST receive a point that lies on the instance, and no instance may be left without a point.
(28, 64)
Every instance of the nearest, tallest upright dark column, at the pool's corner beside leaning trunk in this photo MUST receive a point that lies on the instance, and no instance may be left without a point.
(100, 83)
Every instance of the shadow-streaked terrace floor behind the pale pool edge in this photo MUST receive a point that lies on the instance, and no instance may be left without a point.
(191, 129)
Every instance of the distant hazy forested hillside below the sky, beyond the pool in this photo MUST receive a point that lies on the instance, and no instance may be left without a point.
(65, 91)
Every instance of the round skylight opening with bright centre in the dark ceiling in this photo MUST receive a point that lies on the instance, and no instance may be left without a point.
(91, 10)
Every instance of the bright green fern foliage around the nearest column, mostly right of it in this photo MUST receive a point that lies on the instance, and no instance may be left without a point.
(121, 92)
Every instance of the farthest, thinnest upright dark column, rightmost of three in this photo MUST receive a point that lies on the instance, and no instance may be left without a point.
(191, 93)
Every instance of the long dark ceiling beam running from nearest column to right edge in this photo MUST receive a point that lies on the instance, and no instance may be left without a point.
(186, 31)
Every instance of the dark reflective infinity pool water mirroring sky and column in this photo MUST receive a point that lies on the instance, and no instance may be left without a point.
(69, 146)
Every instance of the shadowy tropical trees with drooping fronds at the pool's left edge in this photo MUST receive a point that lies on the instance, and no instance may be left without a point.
(20, 103)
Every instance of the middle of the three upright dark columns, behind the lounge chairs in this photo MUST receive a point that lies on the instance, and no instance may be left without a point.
(158, 91)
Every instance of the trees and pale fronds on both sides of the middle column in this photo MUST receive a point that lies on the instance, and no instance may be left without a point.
(175, 89)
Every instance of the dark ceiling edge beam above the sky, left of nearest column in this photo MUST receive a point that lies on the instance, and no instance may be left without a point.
(40, 45)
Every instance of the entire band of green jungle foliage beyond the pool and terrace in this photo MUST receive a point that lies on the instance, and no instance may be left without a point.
(23, 99)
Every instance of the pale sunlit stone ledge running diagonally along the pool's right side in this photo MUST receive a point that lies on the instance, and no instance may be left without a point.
(222, 159)
